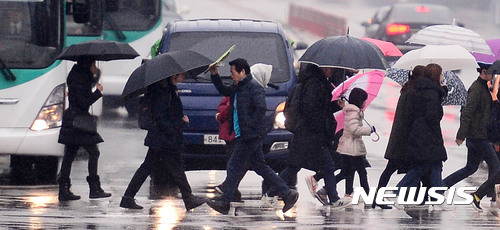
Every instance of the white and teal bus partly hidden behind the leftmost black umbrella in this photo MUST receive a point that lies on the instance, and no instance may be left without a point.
(139, 23)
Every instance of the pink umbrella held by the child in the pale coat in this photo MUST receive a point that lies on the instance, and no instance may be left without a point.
(370, 82)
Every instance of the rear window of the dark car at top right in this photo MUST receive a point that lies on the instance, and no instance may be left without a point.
(422, 14)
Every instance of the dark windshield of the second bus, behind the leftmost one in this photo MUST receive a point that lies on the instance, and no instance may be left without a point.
(133, 15)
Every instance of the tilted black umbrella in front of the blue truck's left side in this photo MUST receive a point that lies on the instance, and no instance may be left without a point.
(164, 66)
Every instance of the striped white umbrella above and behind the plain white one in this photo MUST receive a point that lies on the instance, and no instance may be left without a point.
(451, 35)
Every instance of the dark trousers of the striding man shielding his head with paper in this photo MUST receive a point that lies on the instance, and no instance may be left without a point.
(249, 151)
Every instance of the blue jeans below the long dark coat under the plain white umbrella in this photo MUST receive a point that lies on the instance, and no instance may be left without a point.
(414, 176)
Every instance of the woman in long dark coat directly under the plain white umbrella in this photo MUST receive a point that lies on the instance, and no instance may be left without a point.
(425, 140)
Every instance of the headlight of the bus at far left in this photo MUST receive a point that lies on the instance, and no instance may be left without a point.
(50, 115)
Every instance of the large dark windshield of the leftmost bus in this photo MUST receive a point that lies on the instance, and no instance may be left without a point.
(31, 33)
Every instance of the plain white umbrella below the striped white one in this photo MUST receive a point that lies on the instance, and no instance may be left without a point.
(449, 57)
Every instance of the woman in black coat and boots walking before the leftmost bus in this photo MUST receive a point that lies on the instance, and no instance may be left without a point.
(81, 97)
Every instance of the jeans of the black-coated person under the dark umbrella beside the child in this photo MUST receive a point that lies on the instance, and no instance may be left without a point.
(327, 170)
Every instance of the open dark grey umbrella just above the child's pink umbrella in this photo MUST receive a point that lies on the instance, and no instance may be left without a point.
(344, 52)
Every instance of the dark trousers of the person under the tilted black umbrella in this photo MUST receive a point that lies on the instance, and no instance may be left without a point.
(168, 160)
